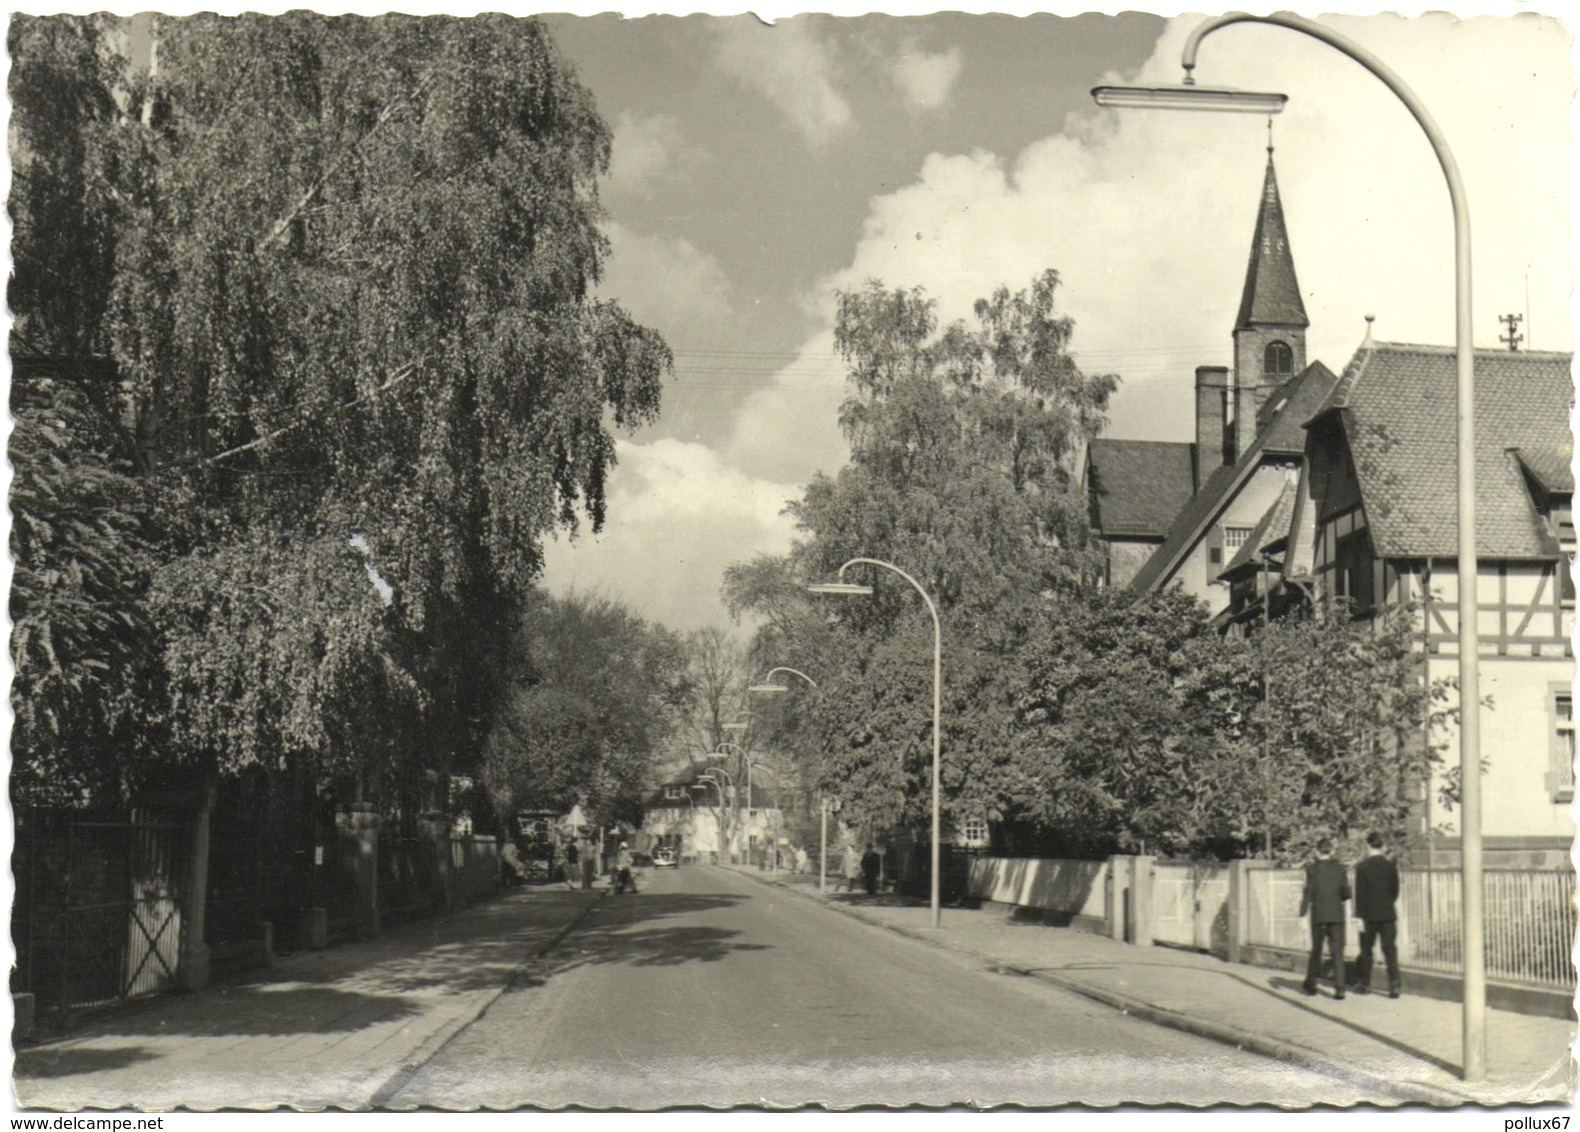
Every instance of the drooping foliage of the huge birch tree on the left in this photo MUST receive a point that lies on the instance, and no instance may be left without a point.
(344, 270)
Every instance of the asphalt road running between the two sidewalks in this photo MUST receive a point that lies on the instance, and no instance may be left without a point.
(709, 989)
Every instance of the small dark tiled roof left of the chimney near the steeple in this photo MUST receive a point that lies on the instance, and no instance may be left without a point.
(1138, 486)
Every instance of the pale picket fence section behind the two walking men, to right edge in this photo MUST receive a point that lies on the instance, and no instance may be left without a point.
(1530, 921)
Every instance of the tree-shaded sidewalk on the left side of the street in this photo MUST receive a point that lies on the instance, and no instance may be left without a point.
(320, 1030)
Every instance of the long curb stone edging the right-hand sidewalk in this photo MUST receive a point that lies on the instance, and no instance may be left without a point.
(1217, 1032)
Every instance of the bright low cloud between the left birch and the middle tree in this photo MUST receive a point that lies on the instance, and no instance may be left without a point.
(679, 516)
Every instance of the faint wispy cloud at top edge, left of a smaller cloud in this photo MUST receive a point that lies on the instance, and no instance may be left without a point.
(792, 69)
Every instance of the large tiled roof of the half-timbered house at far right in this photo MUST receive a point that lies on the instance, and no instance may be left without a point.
(1396, 406)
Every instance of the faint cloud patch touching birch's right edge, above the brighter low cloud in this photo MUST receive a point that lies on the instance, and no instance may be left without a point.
(668, 284)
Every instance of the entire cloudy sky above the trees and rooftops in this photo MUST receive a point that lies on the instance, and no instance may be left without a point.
(762, 168)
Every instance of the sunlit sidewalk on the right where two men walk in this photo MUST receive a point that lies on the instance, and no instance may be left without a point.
(1410, 1049)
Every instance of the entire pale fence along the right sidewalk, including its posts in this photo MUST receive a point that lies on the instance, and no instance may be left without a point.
(1249, 911)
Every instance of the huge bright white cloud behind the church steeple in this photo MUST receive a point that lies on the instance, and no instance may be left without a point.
(1148, 216)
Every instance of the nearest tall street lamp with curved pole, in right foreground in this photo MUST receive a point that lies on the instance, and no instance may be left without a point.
(1192, 97)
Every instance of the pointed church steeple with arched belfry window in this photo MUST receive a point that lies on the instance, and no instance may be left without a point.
(1270, 333)
